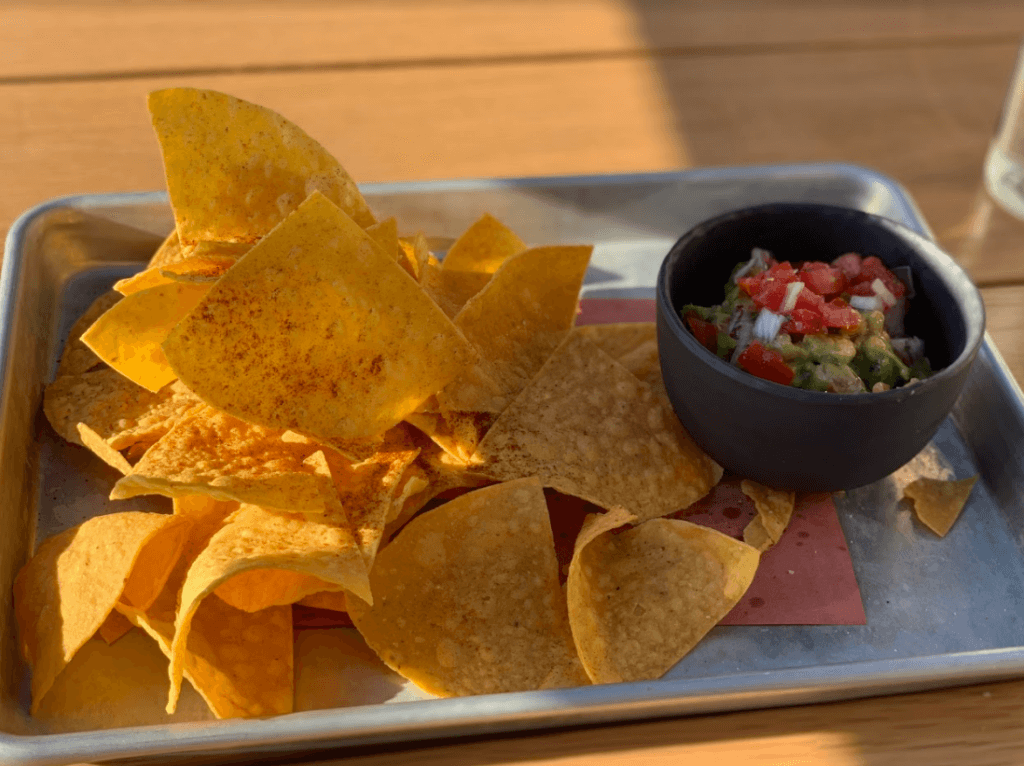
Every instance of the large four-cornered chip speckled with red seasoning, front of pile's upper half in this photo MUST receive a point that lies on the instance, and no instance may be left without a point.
(317, 330)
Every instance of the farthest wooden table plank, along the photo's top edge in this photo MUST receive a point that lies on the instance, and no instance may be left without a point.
(154, 39)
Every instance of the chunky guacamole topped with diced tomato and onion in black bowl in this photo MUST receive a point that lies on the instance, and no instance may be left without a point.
(826, 327)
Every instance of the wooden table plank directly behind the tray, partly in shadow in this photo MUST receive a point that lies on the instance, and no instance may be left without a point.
(922, 116)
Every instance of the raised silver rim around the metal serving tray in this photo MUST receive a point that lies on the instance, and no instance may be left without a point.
(420, 721)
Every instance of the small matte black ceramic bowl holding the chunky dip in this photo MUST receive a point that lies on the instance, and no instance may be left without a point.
(793, 439)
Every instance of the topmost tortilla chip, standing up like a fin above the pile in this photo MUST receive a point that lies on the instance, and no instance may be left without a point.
(236, 171)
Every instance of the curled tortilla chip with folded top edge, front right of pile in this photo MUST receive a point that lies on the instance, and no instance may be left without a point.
(642, 600)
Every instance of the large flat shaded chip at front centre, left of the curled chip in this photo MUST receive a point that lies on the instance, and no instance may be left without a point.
(467, 600)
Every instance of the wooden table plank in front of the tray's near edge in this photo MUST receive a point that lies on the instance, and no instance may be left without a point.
(979, 726)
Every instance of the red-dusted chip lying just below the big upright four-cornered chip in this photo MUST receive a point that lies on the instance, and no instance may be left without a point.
(211, 453)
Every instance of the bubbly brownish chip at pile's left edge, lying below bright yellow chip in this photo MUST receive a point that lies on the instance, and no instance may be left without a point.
(117, 410)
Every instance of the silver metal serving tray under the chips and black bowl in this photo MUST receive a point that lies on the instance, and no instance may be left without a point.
(940, 612)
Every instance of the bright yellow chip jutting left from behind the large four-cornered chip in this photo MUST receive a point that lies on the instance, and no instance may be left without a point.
(129, 337)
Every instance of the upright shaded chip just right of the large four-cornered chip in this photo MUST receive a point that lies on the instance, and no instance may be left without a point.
(517, 321)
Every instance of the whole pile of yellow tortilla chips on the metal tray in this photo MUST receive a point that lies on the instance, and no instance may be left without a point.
(304, 382)
